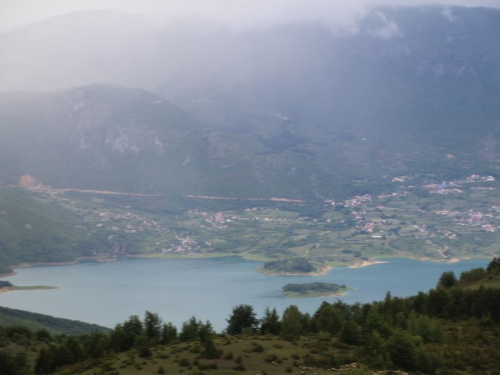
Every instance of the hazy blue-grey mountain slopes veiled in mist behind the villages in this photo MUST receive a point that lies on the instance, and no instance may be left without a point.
(297, 110)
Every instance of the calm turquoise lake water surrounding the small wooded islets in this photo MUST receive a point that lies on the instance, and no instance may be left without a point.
(107, 293)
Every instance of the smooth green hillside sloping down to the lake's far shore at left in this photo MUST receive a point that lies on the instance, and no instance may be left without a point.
(35, 230)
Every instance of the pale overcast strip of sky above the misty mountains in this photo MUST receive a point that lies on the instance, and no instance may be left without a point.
(238, 13)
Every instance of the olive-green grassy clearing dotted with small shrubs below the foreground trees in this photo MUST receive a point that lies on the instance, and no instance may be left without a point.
(277, 356)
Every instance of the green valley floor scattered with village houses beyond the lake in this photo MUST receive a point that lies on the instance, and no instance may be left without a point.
(417, 218)
